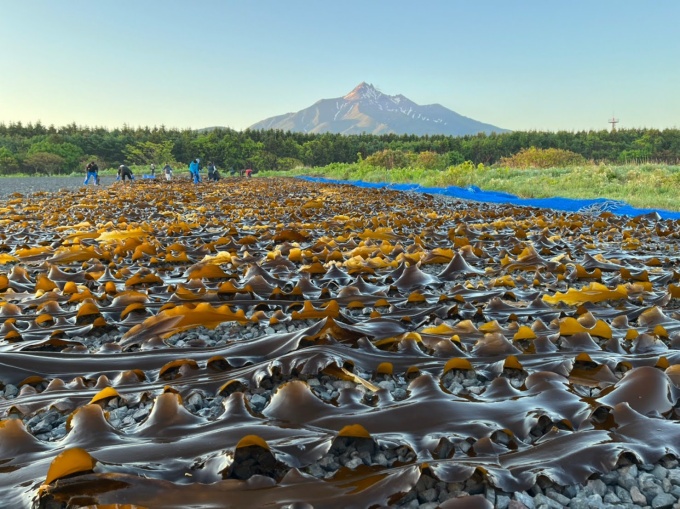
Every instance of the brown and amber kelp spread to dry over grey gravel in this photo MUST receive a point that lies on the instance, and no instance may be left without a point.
(267, 342)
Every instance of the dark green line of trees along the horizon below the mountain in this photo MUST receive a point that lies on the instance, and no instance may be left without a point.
(36, 148)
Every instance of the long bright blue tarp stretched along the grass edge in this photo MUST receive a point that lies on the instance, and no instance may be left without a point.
(476, 194)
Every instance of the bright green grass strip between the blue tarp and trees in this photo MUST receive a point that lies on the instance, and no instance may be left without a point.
(644, 186)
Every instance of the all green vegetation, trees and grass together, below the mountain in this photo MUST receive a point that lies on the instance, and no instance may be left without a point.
(634, 165)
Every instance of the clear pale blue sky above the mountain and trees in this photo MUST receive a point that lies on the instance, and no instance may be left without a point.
(520, 65)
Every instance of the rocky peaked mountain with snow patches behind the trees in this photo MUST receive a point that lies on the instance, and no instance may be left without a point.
(367, 110)
